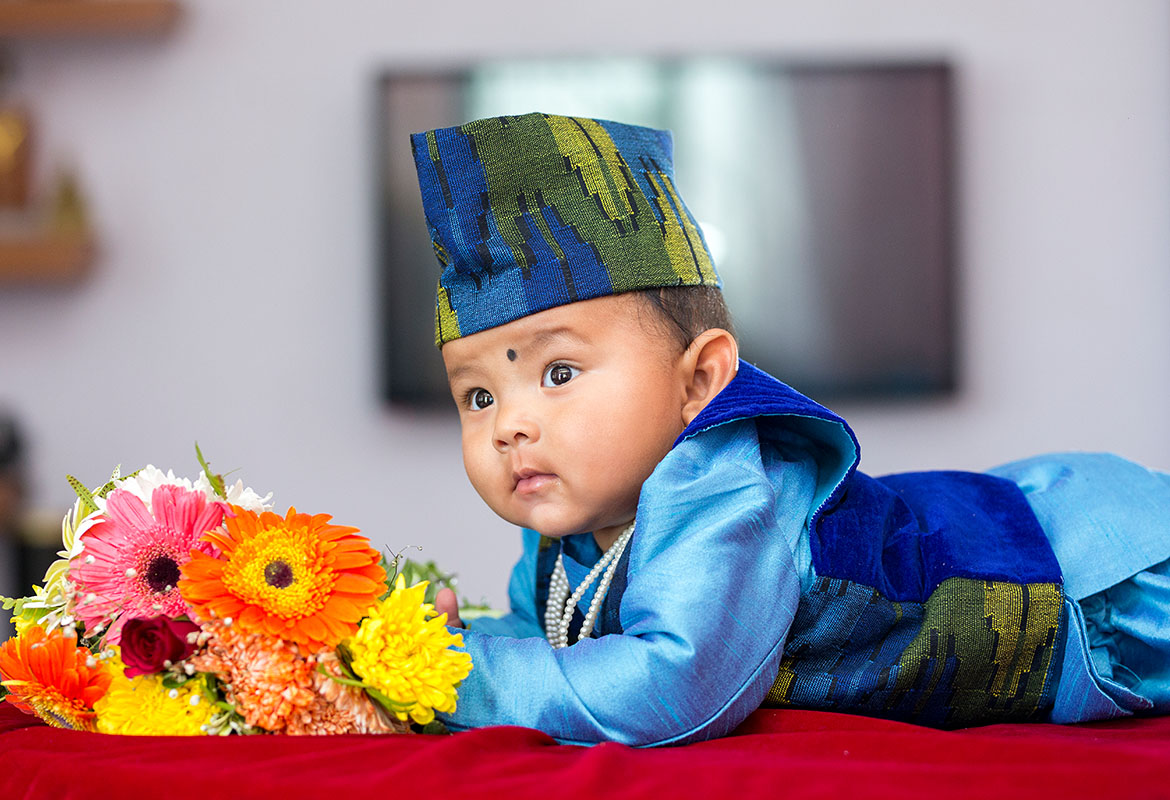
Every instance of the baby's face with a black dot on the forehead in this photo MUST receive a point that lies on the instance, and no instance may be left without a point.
(567, 412)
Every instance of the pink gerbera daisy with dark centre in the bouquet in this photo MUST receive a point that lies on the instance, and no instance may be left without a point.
(132, 558)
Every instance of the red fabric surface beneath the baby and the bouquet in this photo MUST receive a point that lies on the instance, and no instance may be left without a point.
(775, 754)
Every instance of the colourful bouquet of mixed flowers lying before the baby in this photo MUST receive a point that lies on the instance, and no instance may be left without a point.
(190, 608)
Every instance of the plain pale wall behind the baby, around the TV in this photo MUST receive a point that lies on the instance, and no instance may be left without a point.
(230, 171)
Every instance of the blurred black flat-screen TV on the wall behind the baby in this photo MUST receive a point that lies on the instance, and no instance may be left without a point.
(824, 191)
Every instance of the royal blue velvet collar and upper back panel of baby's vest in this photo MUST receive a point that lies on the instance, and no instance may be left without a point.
(903, 535)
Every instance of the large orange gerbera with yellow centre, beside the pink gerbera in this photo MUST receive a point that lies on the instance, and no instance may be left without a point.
(294, 577)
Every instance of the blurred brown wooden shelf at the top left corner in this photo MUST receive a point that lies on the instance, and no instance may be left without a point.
(86, 18)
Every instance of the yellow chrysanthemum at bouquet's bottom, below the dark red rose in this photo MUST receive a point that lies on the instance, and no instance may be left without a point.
(143, 707)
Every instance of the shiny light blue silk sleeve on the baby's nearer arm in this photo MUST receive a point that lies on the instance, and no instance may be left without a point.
(712, 590)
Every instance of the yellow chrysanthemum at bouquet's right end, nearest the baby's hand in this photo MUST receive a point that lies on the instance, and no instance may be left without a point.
(403, 652)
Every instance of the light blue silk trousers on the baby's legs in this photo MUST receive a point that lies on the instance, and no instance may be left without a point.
(1109, 521)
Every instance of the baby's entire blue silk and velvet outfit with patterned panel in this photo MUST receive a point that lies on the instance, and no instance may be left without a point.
(767, 570)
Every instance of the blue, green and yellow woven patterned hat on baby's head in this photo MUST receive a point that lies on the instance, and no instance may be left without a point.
(533, 212)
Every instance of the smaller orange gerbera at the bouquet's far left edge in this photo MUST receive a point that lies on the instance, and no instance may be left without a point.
(51, 677)
